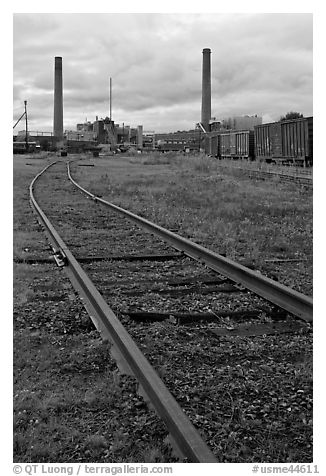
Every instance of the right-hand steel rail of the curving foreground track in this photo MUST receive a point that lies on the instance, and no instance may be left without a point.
(276, 293)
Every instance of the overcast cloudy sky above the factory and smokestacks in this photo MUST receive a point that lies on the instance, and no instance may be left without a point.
(261, 64)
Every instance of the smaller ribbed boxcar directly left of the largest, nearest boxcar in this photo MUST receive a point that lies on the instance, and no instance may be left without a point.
(236, 145)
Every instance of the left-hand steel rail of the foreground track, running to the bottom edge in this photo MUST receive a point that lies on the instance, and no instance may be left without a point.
(183, 433)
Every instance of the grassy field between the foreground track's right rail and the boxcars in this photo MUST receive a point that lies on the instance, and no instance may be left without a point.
(246, 219)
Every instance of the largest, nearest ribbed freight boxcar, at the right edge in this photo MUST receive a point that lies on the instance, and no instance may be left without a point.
(286, 142)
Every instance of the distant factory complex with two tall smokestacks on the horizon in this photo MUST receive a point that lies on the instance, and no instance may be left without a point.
(104, 131)
